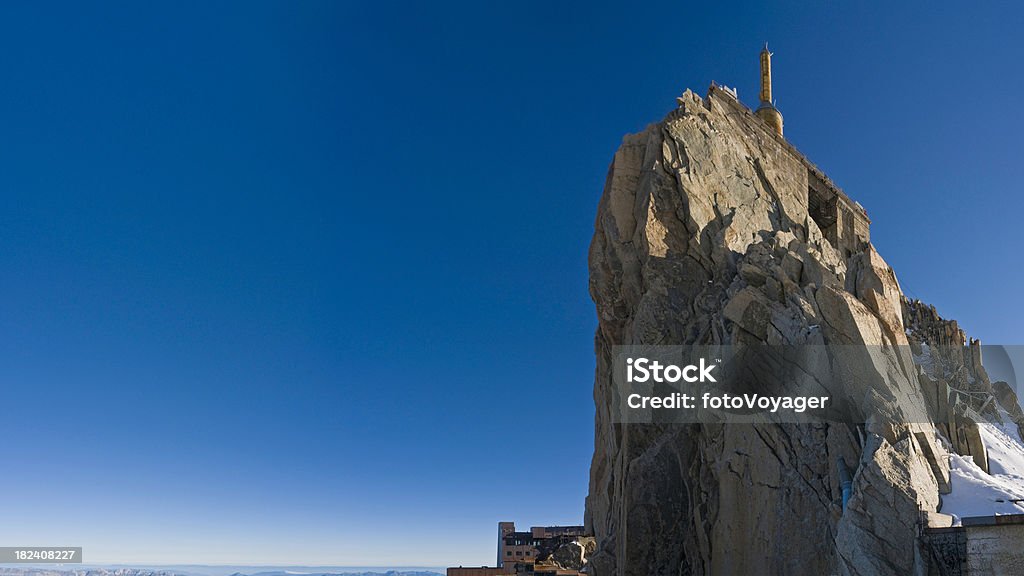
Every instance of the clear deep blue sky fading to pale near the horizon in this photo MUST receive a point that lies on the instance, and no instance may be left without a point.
(307, 283)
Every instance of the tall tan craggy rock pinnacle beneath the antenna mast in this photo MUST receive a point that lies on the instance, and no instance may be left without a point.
(713, 230)
